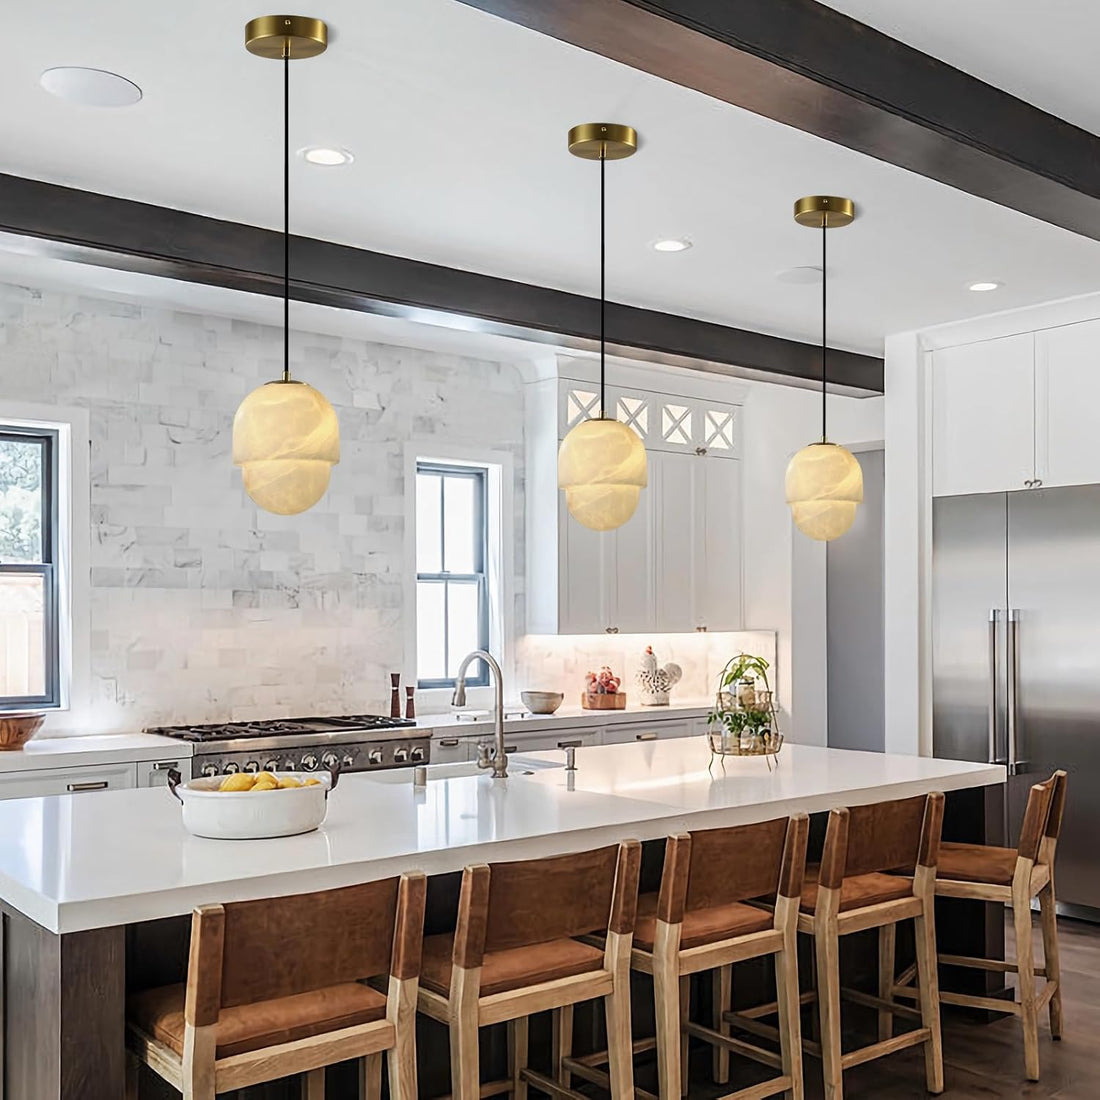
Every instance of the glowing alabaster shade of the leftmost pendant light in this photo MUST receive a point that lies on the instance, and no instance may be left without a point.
(287, 441)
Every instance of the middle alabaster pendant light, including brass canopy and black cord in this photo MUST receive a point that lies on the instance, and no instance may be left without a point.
(602, 461)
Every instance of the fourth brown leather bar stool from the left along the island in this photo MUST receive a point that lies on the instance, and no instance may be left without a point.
(853, 890)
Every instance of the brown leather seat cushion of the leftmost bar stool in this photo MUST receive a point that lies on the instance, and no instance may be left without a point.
(160, 1014)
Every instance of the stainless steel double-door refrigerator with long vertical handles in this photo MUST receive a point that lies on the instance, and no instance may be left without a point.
(1016, 654)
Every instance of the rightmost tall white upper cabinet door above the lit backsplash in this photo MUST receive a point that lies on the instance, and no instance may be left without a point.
(719, 592)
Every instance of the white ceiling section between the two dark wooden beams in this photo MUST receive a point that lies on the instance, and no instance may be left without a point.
(458, 123)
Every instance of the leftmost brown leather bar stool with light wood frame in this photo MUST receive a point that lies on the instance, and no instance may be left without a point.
(276, 988)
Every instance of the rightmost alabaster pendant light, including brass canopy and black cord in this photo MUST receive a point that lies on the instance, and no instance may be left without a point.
(824, 481)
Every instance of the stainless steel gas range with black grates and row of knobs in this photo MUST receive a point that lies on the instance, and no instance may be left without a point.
(351, 743)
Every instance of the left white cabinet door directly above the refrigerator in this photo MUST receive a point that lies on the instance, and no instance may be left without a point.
(984, 417)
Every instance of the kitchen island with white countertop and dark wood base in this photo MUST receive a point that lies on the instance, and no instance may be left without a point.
(76, 873)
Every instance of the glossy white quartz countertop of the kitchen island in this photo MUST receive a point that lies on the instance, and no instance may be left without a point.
(73, 863)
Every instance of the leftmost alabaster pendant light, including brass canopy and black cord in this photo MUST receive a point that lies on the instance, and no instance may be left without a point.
(287, 437)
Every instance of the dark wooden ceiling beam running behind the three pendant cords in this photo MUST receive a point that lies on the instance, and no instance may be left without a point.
(115, 233)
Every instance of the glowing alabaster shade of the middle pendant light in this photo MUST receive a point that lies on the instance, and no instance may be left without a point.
(602, 468)
